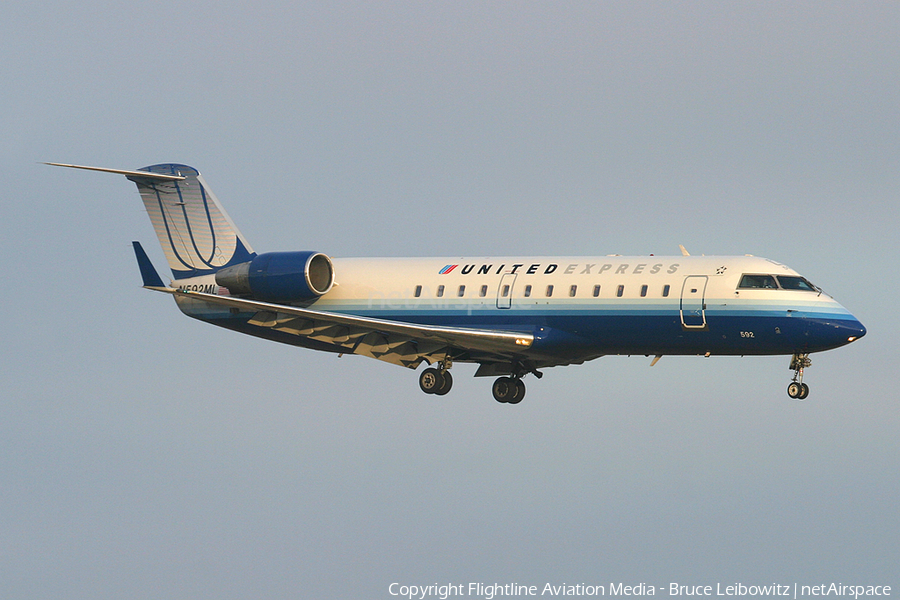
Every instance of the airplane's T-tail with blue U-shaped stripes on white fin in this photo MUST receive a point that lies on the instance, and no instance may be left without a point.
(196, 234)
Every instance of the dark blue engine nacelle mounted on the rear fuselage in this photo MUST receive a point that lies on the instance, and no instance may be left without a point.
(280, 276)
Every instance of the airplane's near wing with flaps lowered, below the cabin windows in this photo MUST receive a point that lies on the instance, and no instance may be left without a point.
(405, 344)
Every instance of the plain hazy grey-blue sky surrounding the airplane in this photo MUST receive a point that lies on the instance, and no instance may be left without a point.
(146, 455)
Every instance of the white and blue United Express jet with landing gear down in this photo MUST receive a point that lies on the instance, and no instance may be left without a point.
(512, 316)
